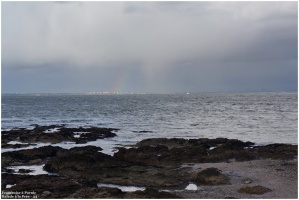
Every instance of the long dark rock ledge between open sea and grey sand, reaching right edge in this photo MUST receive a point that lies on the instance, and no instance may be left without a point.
(162, 151)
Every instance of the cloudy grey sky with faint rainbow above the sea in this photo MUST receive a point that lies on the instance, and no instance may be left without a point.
(152, 47)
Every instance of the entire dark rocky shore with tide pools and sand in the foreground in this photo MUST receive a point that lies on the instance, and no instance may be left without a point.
(154, 168)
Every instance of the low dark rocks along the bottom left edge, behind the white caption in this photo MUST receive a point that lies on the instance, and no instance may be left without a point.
(62, 187)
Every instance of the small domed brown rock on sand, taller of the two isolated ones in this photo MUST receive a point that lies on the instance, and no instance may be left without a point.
(211, 176)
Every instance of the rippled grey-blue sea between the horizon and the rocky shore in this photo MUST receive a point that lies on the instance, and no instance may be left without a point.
(262, 118)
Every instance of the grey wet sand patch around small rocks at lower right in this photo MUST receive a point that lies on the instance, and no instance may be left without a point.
(281, 176)
